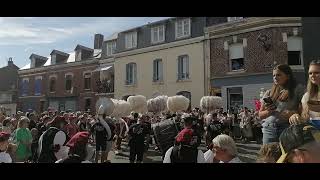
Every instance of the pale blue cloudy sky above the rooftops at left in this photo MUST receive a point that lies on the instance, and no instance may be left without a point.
(22, 36)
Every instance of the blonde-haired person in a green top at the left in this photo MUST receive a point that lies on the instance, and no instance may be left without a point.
(23, 140)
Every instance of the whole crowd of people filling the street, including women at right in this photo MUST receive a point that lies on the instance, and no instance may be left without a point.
(287, 125)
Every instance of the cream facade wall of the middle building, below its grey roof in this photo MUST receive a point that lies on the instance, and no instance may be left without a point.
(186, 53)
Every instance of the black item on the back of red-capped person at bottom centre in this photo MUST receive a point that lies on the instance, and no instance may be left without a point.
(184, 154)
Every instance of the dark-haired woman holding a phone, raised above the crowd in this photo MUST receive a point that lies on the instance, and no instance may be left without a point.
(279, 103)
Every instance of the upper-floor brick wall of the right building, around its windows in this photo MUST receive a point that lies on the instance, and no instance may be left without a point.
(255, 56)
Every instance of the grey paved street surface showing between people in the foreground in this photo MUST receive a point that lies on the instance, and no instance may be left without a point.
(247, 153)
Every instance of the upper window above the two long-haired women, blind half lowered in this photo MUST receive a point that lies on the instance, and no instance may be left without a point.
(294, 51)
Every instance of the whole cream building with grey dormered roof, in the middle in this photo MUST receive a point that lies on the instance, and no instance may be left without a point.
(166, 57)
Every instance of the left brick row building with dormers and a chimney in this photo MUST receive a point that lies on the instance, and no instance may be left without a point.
(62, 81)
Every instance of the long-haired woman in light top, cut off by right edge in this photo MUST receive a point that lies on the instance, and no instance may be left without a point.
(311, 100)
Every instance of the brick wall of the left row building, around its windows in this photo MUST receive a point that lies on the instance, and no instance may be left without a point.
(77, 83)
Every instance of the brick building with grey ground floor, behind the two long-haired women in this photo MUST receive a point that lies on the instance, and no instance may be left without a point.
(243, 52)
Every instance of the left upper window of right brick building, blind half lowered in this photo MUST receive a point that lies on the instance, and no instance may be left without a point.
(236, 57)
